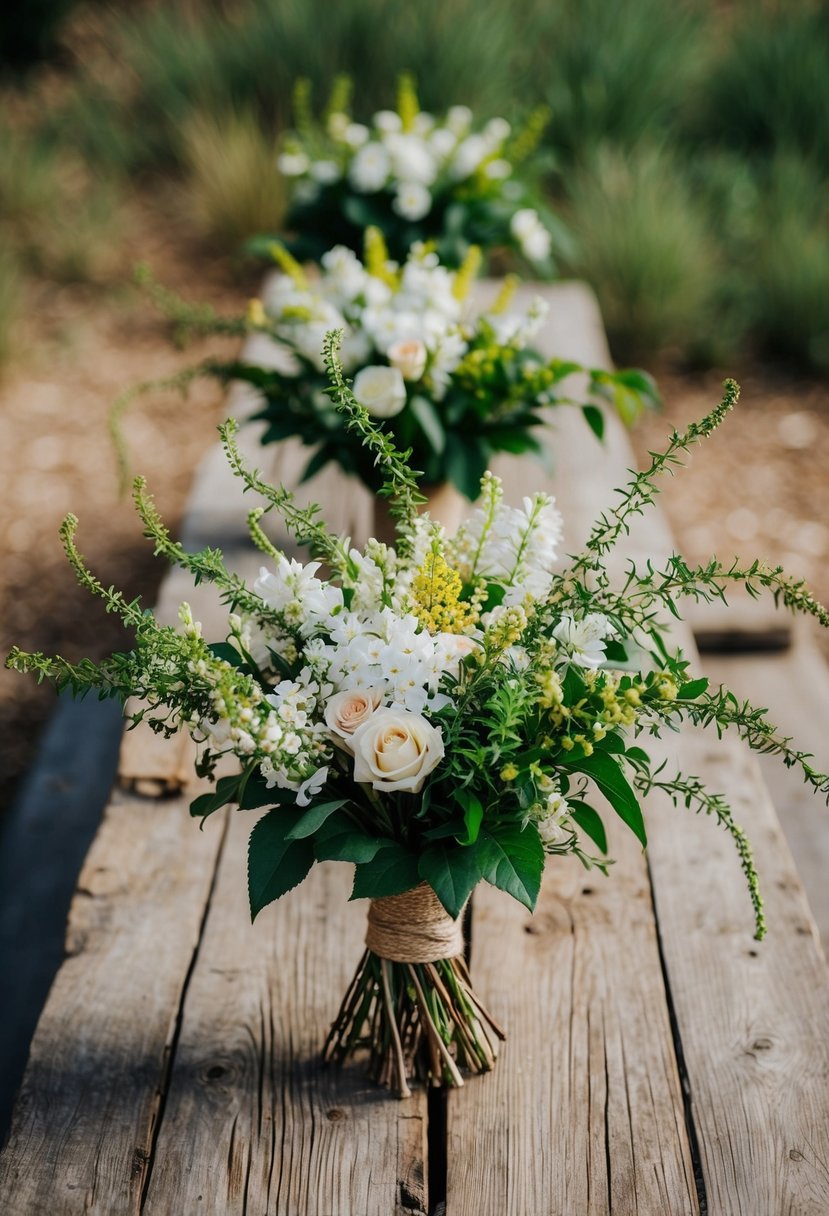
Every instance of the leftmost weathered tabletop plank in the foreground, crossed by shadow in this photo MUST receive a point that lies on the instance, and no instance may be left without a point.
(84, 1123)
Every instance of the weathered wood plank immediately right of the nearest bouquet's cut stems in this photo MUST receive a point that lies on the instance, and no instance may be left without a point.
(584, 1111)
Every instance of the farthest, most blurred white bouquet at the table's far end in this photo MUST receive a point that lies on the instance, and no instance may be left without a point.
(418, 178)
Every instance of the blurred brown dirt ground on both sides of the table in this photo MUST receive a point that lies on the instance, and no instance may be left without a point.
(759, 488)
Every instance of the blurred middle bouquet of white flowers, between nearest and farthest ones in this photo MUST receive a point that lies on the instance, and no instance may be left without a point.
(452, 387)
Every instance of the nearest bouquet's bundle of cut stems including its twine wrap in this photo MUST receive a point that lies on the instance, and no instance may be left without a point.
(419, 1015)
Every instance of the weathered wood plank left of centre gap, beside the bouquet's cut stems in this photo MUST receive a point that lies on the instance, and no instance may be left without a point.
(252, 1122)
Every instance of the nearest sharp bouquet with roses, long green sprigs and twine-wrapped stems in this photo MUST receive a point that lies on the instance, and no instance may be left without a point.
(437, 714)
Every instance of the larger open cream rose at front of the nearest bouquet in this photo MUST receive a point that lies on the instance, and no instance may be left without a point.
(397, 750)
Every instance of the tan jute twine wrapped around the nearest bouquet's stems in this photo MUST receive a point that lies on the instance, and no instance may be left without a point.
(414, 928)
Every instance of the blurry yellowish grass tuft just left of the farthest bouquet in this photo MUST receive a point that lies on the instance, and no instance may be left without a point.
(233, 183)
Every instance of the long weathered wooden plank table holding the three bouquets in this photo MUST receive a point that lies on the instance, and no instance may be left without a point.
(659, 1061)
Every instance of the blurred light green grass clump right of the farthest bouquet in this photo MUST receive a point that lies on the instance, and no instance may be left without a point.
(645, 247)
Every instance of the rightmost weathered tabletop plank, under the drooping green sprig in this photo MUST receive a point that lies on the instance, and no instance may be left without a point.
(753, 1017)
